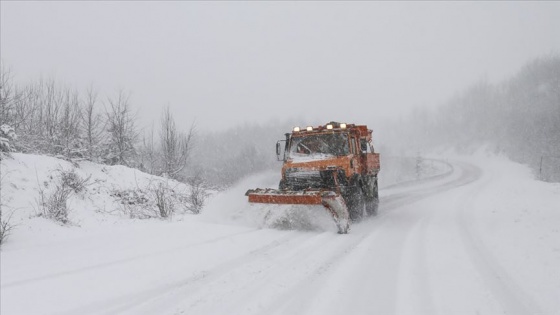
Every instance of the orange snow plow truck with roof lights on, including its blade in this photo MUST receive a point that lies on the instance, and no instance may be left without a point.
(333, 165)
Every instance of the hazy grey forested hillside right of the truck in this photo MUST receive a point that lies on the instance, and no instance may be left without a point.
(519, 118)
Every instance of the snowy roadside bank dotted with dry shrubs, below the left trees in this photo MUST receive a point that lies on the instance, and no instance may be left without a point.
(98, 195)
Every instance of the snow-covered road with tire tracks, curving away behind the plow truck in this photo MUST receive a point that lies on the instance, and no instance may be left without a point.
(418, 256)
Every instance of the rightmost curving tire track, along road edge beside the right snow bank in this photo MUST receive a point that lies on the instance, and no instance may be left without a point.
(514, 300)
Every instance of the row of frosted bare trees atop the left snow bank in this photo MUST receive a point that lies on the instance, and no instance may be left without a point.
(45, 117)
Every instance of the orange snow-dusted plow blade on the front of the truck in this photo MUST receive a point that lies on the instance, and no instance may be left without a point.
(331, 200)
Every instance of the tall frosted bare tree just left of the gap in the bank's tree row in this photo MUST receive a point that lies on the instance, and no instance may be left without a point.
(121, 130)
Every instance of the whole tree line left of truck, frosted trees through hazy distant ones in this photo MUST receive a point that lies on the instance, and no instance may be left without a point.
(45, 117)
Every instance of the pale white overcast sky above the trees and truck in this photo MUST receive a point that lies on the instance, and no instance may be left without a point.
(225, 63)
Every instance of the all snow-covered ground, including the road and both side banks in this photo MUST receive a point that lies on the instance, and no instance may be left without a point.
(483, 238)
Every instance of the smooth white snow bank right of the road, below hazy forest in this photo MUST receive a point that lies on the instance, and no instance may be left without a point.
(517, 218)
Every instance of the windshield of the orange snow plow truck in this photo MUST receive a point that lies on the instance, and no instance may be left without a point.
(317, 147)
